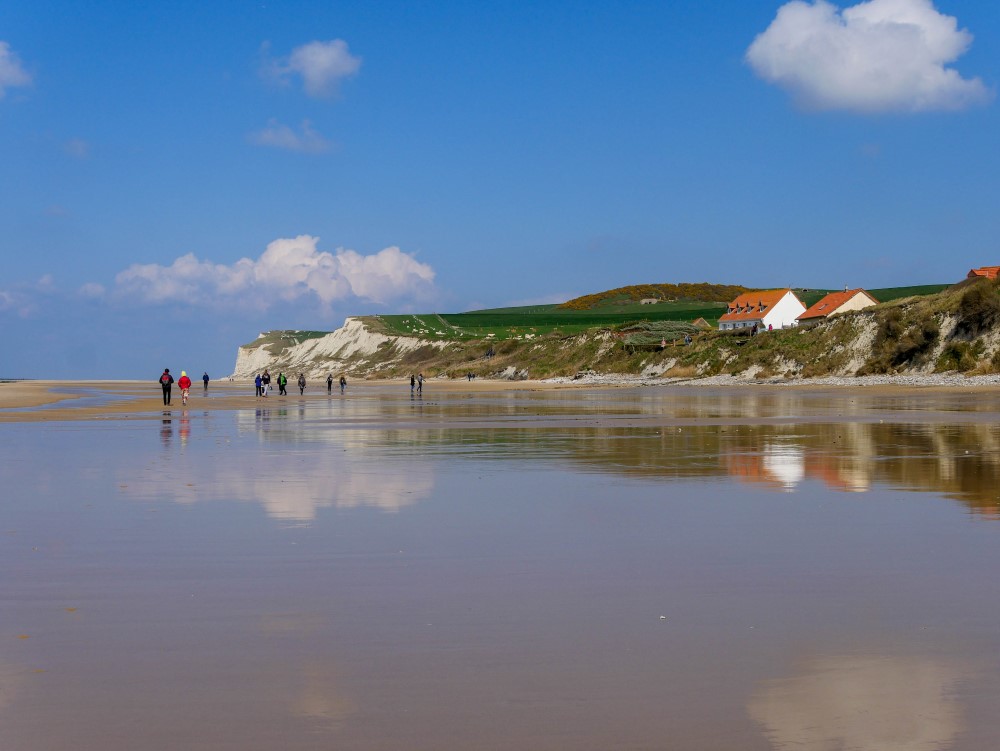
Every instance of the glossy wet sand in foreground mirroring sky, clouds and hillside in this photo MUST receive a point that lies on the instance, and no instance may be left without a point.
(375, 575)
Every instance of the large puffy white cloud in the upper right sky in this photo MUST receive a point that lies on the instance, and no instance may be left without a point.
(876, 56)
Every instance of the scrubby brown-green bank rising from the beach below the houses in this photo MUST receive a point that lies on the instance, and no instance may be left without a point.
(827, 349)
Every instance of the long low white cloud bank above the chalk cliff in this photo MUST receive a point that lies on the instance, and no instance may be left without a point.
(288, 269)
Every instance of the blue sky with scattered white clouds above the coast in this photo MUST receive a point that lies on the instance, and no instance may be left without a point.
(177, 177)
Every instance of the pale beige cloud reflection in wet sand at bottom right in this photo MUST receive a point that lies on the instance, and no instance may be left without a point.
(862, 703)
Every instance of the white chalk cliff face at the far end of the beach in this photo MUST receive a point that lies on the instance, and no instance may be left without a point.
(348, 349)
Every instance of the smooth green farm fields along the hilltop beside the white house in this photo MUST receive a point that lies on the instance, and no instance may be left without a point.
(536, 320)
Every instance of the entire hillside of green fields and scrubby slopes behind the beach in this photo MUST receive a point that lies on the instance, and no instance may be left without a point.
(924, 328)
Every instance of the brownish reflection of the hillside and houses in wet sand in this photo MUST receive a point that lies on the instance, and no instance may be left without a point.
(961, 461)
